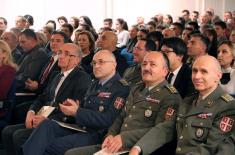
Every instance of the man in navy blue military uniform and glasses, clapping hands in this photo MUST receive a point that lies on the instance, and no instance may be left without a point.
(103, 102)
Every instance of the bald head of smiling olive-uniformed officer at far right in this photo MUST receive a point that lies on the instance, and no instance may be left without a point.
(206, 74)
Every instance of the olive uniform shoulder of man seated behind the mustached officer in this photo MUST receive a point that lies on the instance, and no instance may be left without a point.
(133, 74)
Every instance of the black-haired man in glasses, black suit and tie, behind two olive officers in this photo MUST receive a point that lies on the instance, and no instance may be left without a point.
(180, 74)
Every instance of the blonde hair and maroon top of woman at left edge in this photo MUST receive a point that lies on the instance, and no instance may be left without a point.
(7, 69)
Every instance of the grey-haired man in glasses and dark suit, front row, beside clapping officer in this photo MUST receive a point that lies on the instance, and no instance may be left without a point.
(73, 84)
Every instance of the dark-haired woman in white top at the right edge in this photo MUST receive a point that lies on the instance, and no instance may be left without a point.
(226, 55)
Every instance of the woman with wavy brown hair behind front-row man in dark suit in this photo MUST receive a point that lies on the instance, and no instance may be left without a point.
(87, 43)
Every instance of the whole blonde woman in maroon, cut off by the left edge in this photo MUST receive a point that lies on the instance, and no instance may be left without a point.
(7, 74)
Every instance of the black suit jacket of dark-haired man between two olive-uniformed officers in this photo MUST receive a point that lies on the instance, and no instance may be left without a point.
(183, 82)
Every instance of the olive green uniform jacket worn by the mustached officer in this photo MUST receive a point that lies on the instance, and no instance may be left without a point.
(143, 111)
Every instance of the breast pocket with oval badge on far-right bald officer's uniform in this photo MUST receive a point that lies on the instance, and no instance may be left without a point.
(200, 129)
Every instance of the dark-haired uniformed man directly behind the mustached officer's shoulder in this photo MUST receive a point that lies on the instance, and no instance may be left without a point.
(133, 73)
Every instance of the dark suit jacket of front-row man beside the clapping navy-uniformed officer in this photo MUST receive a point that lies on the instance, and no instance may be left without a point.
(73, 87)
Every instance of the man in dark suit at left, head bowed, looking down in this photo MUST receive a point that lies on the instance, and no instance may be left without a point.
(35, 58)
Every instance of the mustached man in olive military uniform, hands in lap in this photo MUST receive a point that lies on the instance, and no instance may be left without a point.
(151, 103)
